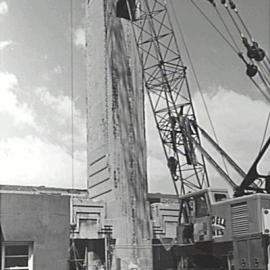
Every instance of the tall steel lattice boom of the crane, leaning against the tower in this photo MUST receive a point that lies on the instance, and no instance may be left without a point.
(166, 83)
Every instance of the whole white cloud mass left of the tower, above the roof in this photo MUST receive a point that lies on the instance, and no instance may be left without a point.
(39, 156)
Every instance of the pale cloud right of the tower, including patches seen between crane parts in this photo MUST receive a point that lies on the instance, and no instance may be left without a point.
(239, 122)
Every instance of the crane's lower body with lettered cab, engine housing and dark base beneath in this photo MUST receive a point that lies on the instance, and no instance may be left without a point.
(232, 232)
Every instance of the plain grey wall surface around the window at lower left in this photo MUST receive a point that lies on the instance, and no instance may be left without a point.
(41, 219)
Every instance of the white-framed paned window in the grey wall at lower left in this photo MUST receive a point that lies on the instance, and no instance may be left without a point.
(17, 255)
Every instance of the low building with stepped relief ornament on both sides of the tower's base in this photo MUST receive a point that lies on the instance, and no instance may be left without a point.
(49, 228)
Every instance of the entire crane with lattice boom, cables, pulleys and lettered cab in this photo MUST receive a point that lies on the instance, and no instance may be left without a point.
(214, 231)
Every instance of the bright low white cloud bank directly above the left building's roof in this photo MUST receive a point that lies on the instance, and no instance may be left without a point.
(32, 161)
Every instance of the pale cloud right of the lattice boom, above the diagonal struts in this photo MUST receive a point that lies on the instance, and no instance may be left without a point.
(239, 122)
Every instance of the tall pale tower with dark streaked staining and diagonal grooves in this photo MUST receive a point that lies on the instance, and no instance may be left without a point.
(116, 135)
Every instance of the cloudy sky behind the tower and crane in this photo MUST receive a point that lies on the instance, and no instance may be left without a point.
(35, 91)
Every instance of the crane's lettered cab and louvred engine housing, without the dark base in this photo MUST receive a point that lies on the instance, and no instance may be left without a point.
(211, 215)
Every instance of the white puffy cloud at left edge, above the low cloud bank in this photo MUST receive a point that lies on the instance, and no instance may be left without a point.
(20, 112)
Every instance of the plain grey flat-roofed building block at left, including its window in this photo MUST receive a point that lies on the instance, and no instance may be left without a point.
(34, 230)
